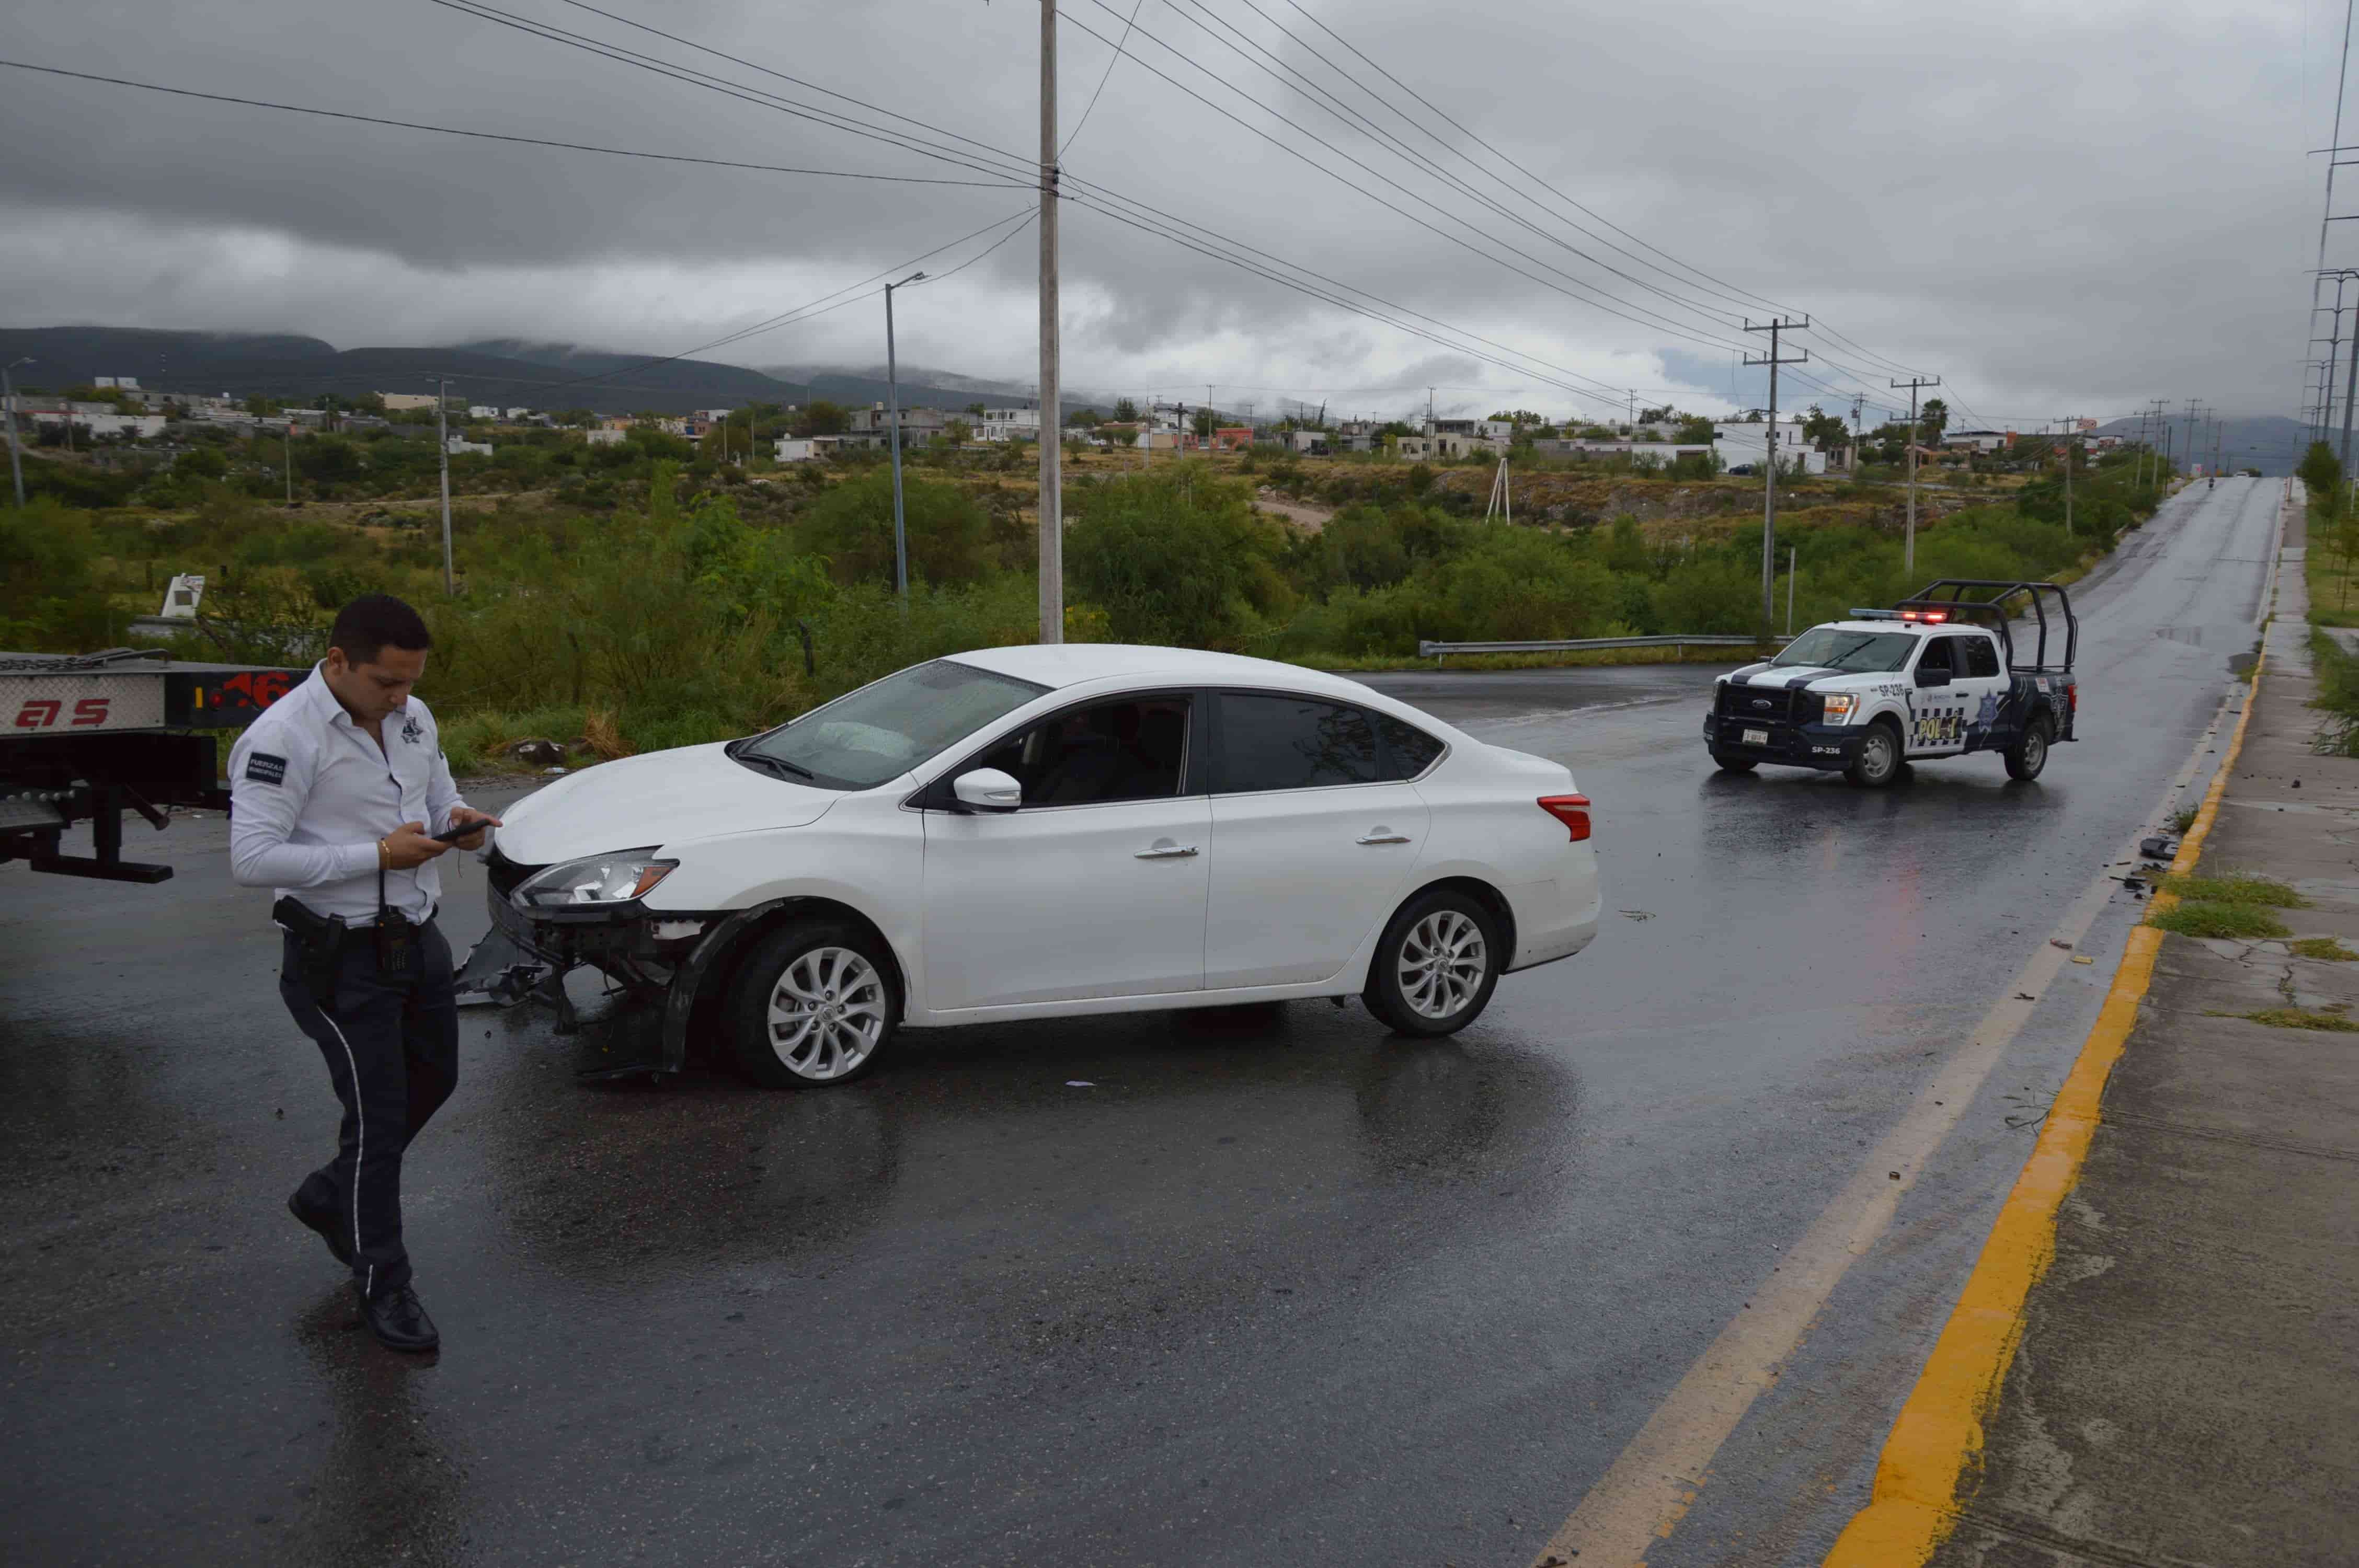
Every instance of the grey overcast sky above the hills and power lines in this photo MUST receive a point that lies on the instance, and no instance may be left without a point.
(2054, 209)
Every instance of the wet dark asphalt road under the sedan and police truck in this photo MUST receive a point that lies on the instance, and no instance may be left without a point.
(1273, 1289)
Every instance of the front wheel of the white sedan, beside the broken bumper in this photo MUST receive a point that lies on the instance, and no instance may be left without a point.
(813, 1006)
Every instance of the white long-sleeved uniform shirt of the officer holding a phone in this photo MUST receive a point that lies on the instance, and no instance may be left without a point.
(310, 796)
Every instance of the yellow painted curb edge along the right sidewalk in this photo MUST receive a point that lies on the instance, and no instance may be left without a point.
(1938, 1437)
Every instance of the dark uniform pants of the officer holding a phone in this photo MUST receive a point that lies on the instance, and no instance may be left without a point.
(393, 1058)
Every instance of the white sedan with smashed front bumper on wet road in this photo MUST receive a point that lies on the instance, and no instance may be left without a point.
(1051, 831)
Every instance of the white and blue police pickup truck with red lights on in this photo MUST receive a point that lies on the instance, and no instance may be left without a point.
(1966, 666)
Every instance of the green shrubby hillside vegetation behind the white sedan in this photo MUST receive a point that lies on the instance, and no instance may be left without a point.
(638, 598)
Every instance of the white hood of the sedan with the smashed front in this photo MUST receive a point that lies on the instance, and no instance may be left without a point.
(662, 798)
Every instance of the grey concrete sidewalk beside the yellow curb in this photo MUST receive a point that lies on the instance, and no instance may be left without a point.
(2188, 1381)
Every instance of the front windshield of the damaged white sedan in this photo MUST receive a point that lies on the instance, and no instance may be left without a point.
(886, 730)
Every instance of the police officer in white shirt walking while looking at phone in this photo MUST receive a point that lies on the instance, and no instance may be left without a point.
(336, 798)
